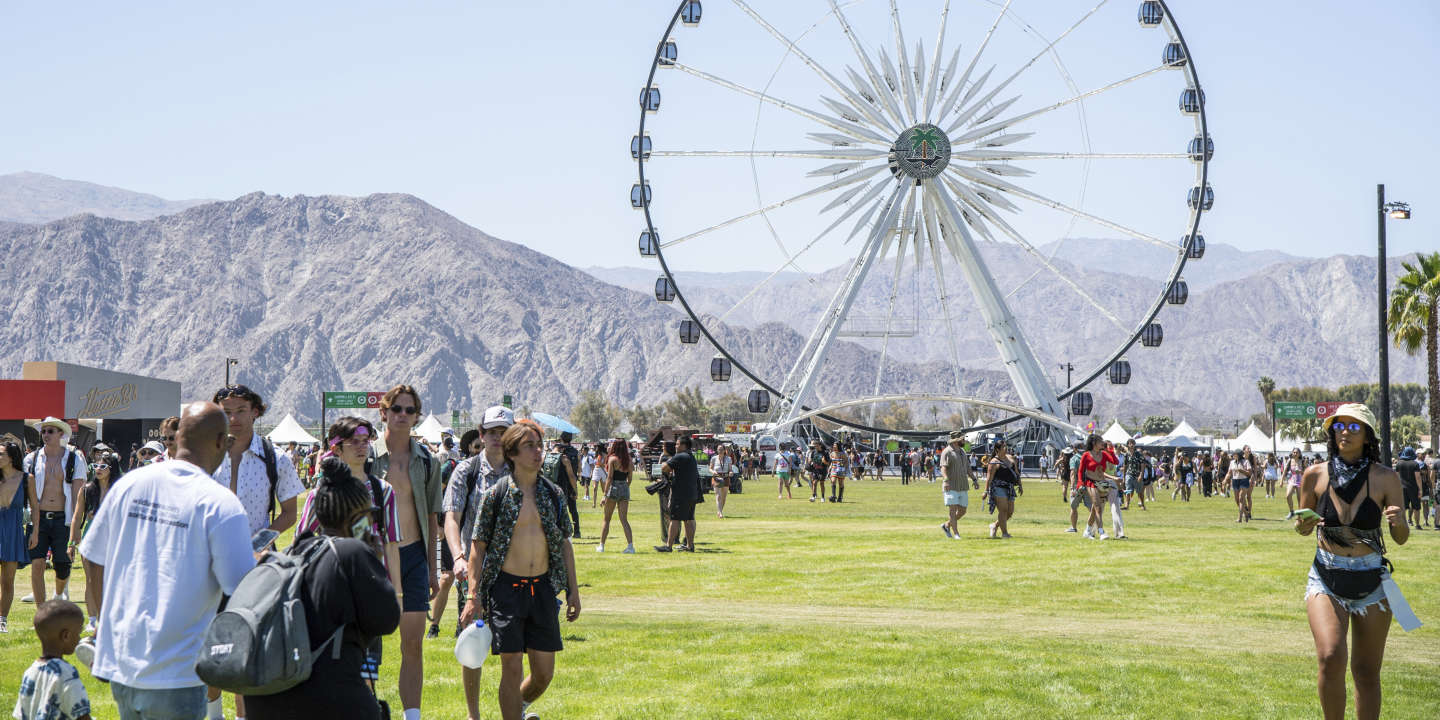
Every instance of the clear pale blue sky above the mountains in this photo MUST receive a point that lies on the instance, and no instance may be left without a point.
(516, 117)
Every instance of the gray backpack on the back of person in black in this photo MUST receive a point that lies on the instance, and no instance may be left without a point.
(260, 644)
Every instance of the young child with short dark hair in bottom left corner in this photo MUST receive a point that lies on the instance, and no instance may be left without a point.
(53, 688)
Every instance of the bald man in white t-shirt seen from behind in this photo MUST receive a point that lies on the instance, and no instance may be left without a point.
(165, 546)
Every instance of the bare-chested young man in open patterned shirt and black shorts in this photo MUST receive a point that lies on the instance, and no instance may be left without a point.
(522, 541)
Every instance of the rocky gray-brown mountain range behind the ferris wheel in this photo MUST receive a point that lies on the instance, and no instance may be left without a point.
(323, 293)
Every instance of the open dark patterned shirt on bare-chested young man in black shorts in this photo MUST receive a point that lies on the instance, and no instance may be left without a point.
(496, 525)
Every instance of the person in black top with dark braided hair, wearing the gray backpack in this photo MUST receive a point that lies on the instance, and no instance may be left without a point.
(345, 588)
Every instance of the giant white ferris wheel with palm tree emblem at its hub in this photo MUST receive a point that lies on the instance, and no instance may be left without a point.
(921, 214)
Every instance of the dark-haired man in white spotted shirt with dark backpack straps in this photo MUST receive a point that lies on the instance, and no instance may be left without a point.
(244, 469)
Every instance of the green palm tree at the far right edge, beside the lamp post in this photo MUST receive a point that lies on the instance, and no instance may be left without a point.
(1415, 312)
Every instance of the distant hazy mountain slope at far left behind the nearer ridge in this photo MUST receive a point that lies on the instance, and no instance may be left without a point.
(35, 198)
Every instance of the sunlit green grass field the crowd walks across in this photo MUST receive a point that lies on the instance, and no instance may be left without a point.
(866, 610)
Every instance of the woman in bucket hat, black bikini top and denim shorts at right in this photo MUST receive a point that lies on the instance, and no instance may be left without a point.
(1356, 498)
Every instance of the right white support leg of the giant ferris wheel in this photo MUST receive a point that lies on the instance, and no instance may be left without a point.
(1020, 361)
